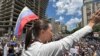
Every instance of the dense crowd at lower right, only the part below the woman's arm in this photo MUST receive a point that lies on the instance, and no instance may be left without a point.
(85, 47)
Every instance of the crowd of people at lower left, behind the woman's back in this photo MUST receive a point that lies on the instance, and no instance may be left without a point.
(10, 47)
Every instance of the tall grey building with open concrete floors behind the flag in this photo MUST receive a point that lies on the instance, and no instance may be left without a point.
(10, 9)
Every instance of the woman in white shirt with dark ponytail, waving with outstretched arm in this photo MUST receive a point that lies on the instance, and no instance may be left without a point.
(43, 34)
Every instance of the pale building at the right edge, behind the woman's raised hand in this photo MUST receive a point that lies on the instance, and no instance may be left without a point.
(89, 7)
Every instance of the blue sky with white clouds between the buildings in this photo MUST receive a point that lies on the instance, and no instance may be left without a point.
(67, 12)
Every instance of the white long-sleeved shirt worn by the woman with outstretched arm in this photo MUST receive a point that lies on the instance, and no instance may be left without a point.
(55, 48)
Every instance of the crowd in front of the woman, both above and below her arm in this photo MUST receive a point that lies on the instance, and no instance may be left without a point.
(86, 46)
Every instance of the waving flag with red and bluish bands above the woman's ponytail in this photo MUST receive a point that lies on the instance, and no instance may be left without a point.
(25, 16)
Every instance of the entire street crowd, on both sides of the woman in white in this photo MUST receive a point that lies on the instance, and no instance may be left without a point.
(88, 46)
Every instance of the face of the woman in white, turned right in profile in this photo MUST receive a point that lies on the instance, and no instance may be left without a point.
(48, 34)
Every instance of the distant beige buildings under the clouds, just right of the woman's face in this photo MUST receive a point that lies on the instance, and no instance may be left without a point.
(58, 27)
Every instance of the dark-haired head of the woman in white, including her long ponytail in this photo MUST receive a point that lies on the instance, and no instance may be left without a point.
(42, 32)
